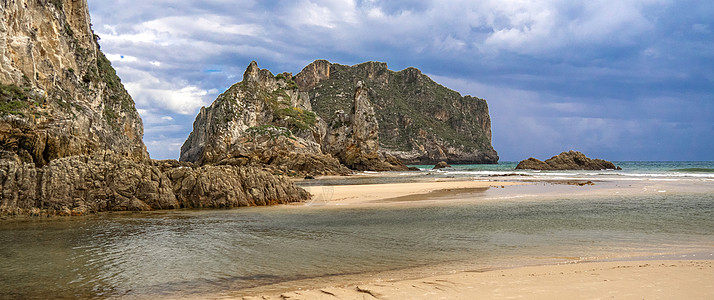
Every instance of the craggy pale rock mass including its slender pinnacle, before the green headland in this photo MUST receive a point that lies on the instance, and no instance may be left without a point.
(265, 121)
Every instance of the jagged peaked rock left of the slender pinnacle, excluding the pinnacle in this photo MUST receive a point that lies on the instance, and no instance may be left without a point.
(261, 121)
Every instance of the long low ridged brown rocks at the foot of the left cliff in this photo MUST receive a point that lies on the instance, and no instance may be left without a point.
(79, 185)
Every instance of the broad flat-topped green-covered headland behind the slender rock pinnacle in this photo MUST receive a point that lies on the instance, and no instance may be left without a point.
(420, 121)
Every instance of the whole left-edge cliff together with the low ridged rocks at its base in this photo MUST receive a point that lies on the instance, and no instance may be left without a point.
(71, 138)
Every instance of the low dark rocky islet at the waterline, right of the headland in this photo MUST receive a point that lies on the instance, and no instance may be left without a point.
(571, 160)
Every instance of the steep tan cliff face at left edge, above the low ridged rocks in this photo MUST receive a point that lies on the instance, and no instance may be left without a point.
(60, 96)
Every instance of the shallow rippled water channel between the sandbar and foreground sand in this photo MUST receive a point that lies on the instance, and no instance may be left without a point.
(188, 252)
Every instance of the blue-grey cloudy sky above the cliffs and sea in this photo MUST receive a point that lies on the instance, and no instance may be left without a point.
(619, 80)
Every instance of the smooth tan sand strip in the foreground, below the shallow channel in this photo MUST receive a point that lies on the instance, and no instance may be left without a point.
(653, 279)
